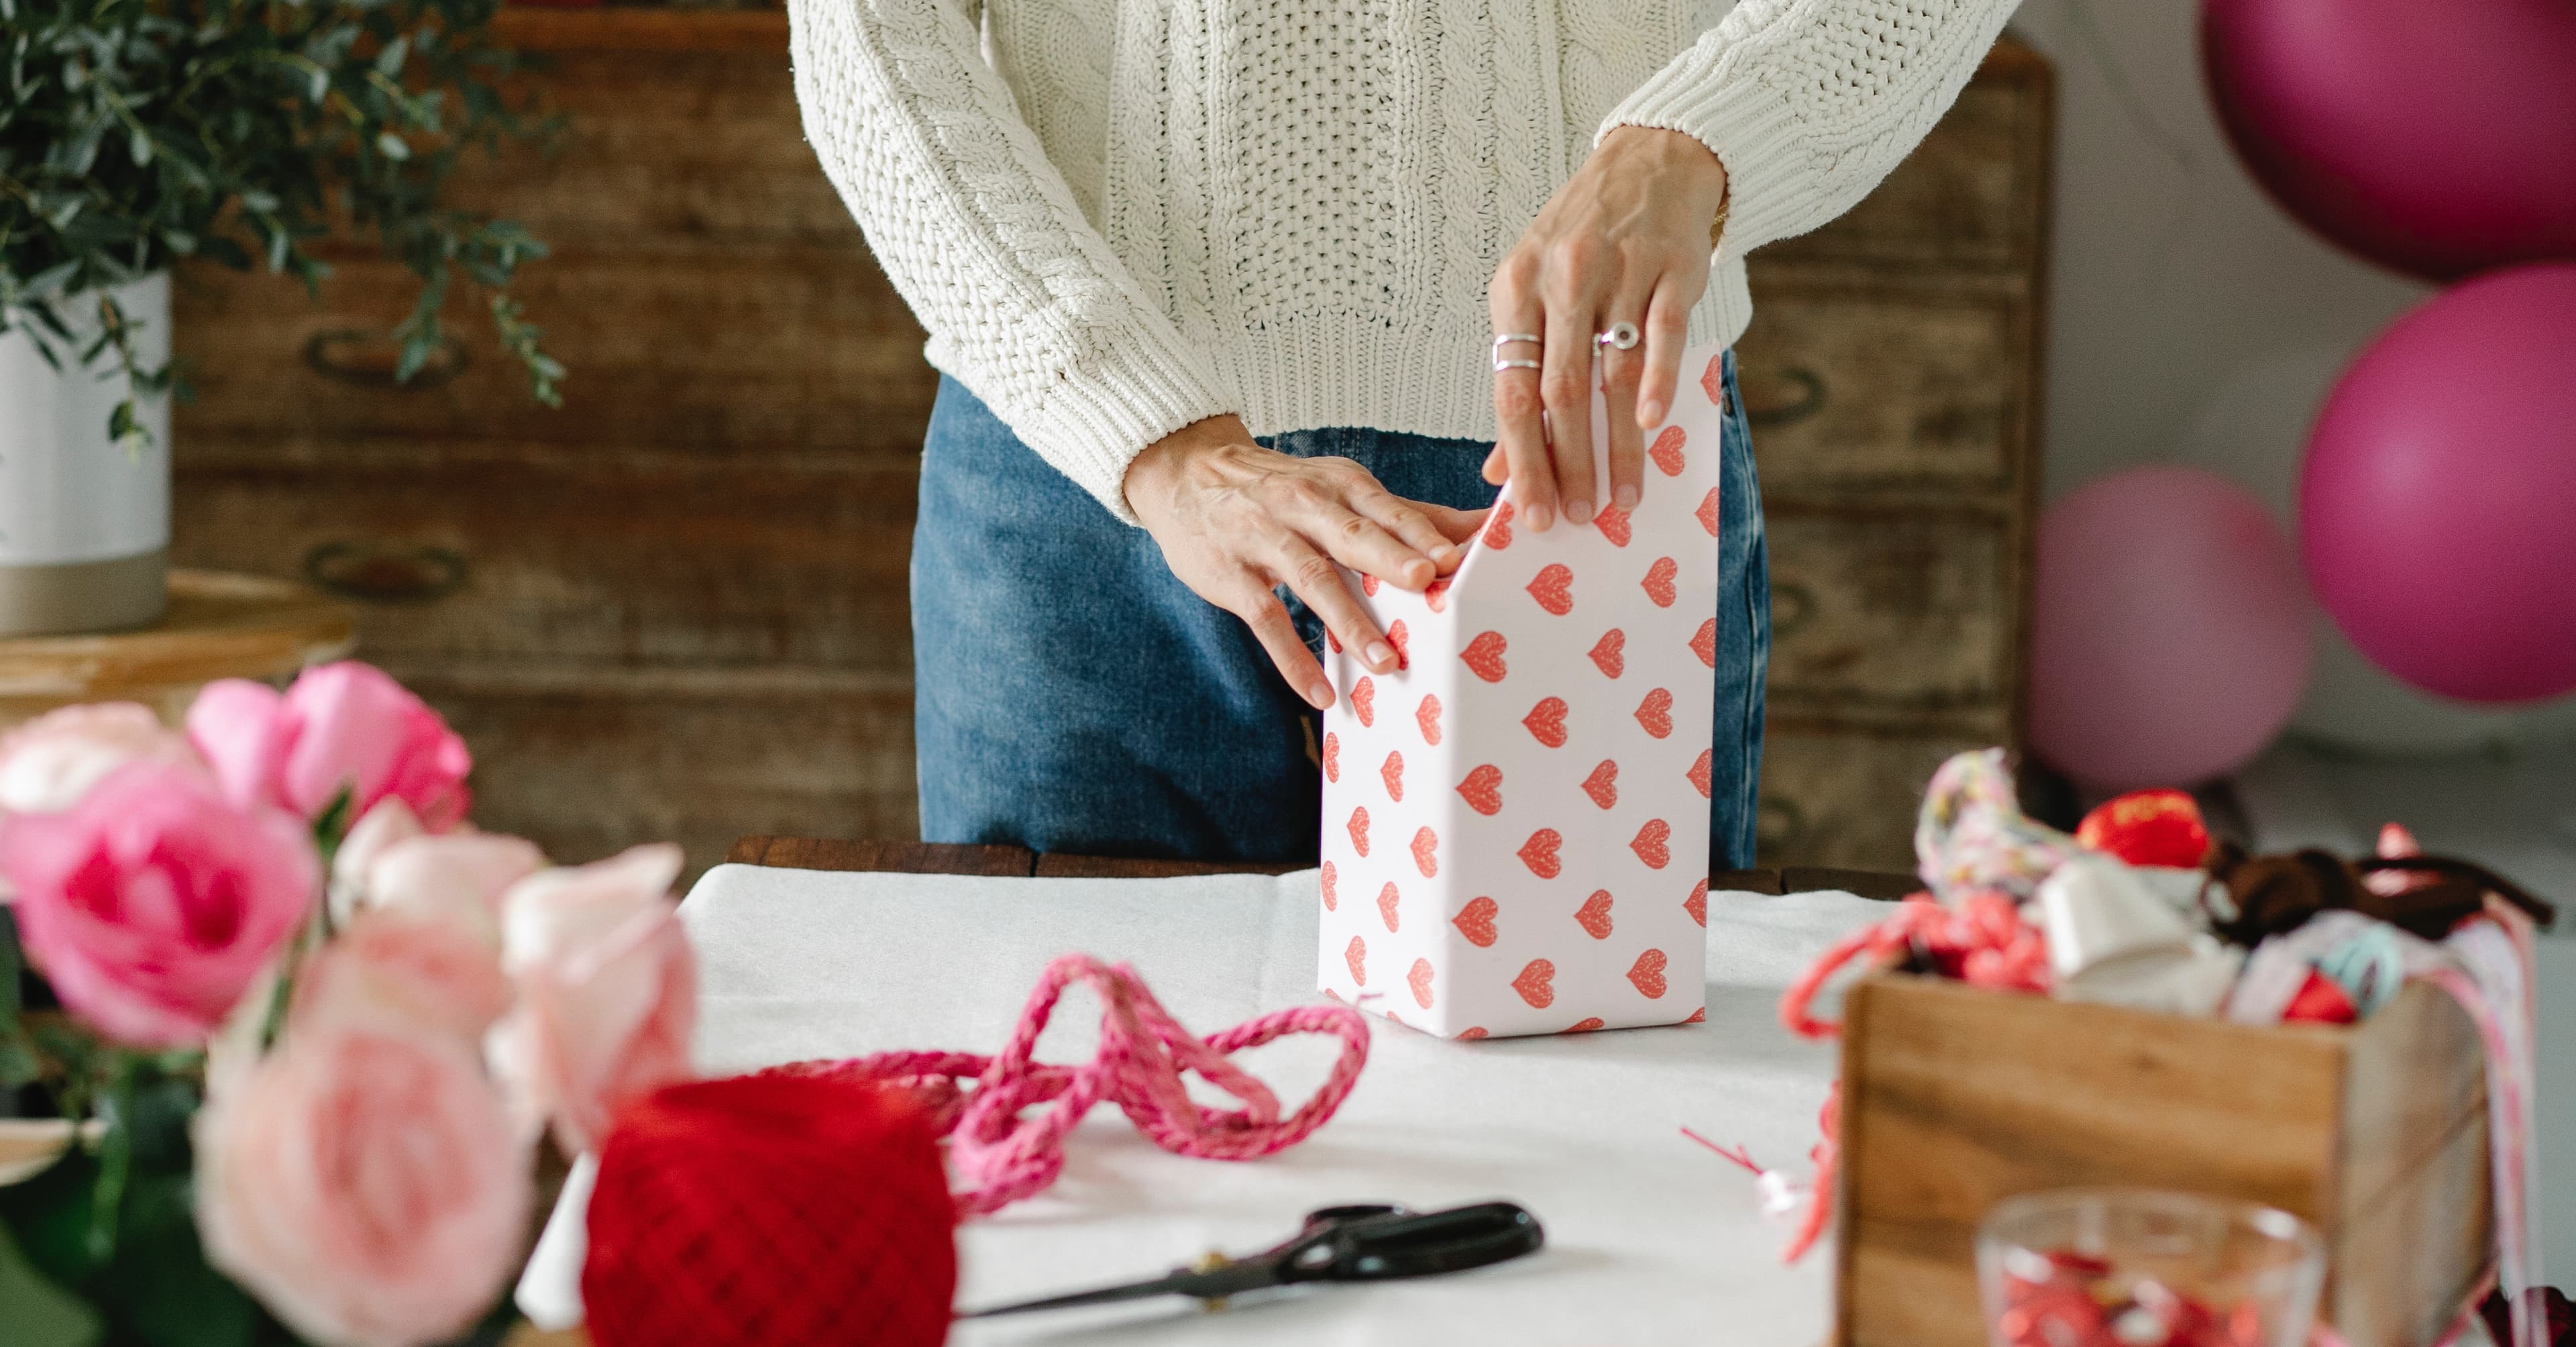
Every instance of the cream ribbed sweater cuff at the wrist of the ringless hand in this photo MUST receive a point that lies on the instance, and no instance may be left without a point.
(1130, 393)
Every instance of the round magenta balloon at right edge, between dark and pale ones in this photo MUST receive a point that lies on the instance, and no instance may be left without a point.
(2438, 504)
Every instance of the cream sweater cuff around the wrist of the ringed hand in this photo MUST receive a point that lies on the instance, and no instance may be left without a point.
(1771, 182)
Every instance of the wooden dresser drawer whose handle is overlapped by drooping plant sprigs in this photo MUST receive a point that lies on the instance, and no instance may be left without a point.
(723, 354)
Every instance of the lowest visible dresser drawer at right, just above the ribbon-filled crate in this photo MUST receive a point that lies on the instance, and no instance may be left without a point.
(1848, 797)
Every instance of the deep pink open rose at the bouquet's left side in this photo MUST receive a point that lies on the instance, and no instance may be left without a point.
(153, 903)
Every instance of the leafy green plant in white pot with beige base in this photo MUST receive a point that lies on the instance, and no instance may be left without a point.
(143, 133)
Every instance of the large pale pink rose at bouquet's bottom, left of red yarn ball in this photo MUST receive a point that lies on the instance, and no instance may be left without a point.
(367, 1183)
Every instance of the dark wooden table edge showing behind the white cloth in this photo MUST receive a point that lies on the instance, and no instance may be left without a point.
(952, 859)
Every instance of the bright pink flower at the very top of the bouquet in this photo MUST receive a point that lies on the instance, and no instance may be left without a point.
(339, 728)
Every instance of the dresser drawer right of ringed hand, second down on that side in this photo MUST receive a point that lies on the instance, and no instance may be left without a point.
(1897, 388)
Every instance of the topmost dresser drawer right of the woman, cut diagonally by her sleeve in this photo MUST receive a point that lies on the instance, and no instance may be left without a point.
(1969, 197)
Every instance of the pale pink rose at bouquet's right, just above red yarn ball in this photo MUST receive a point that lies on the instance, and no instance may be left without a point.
(607, 990)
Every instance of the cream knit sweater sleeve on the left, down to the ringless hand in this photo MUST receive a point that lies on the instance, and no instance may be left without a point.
(1021, 295)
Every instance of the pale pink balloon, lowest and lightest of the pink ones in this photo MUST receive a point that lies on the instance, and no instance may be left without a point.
(2170, 630)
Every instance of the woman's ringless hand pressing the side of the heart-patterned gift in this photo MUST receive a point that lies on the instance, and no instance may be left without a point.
(1238, 519)
